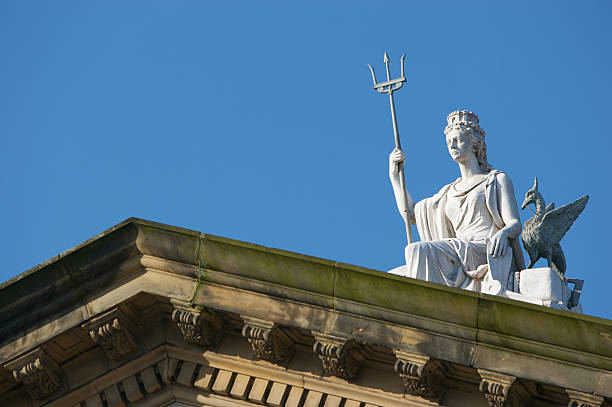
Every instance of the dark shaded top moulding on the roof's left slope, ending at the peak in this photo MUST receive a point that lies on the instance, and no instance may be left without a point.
(64, 280)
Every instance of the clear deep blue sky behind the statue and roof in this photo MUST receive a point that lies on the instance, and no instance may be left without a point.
(257, 120)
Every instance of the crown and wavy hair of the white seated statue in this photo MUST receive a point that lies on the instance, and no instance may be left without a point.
(466, 123)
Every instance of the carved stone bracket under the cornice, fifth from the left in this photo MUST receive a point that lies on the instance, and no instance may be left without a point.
(340, 356)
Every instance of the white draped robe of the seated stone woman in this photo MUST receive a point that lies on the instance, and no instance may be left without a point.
(455, 227)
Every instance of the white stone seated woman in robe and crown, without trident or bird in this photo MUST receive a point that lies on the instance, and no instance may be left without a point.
(469, 230)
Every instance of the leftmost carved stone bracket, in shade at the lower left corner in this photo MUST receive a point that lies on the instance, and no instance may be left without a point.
(38, 372)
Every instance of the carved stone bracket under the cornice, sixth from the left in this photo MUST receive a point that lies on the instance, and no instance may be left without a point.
(421, 375)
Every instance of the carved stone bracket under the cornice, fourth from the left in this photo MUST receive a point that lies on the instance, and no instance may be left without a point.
(268, 341)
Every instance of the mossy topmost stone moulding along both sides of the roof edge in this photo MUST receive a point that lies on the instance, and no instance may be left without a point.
(67, 281)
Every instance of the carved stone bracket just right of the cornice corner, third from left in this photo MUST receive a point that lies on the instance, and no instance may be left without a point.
(198, 325)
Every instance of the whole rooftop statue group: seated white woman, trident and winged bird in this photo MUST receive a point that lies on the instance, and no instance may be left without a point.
(469, 230)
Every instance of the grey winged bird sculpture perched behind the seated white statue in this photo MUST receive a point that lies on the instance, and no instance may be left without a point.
(543, 232)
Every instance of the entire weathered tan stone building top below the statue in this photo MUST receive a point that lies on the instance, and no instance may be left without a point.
(146, 314)
